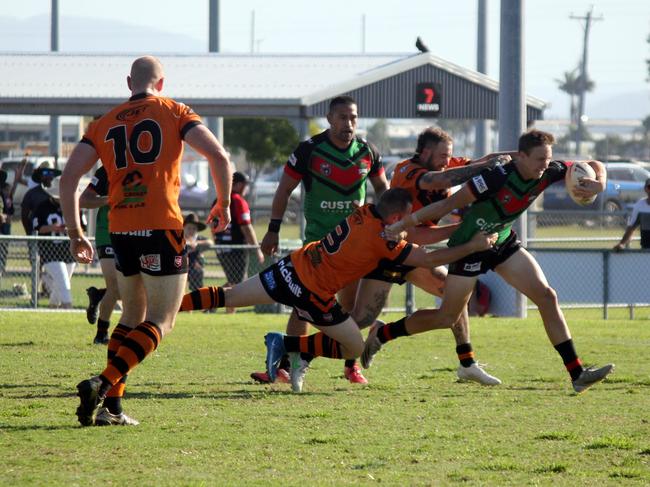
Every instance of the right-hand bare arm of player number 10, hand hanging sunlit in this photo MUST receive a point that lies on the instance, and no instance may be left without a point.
(206, 144)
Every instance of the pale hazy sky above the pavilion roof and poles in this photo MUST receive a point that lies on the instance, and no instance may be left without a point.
(553, 42)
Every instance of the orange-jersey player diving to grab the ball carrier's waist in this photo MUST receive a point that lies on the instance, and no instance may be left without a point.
(309, 278)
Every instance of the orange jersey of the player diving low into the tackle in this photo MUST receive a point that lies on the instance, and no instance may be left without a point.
(347, 253)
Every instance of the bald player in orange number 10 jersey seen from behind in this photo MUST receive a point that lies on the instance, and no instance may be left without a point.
(140, 144)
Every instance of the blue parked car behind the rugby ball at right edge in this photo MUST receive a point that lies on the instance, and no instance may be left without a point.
(625, 182)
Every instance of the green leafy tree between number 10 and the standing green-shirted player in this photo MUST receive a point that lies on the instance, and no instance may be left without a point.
(265, 140)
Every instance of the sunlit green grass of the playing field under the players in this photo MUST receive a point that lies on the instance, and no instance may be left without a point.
(205, 423)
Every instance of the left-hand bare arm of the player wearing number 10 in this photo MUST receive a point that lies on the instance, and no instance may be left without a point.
(81, 161)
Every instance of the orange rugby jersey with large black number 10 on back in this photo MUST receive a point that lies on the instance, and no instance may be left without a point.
(140, 144)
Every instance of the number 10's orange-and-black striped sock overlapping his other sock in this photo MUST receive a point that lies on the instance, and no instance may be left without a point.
(135, 347)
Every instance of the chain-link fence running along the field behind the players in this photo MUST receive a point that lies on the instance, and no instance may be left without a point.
(37, 272)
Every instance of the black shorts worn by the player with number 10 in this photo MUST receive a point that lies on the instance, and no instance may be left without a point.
(153, 252)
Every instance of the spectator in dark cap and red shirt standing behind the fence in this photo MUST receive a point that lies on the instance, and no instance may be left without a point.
(240, 231)
